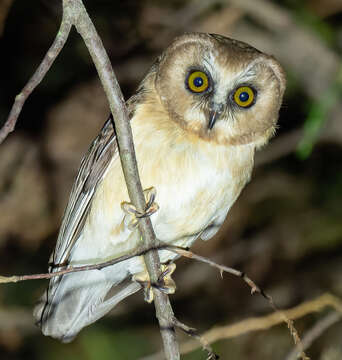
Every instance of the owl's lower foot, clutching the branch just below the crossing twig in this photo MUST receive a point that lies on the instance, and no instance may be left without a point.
(165, 282)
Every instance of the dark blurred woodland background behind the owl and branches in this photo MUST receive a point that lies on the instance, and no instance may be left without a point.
(285, 230)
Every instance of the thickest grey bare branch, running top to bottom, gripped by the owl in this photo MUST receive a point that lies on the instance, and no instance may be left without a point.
(118, 108)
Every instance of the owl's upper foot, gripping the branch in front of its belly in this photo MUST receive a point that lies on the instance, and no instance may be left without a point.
(133, 216)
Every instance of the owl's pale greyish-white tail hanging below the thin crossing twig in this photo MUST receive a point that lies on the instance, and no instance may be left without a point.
(75, 300)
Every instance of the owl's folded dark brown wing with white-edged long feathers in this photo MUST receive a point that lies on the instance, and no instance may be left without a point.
(93, 167)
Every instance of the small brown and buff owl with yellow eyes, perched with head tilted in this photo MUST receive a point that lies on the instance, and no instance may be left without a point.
(204, 107)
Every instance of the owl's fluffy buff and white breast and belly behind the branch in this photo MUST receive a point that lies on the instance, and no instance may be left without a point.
(196, 182)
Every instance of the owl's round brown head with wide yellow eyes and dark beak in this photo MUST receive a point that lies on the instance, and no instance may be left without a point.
(220, 89)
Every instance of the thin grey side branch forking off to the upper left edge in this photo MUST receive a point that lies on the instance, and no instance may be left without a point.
(37, 77)
